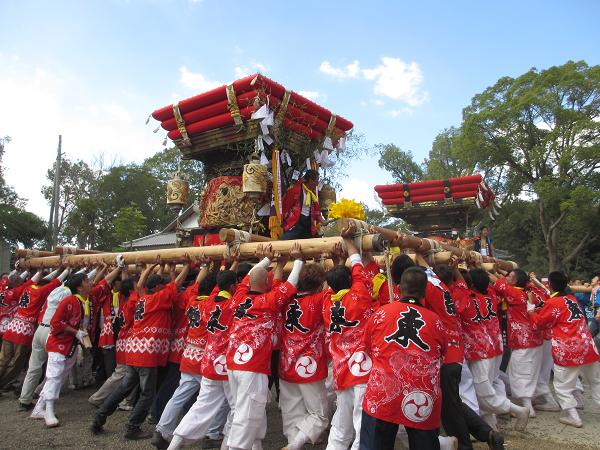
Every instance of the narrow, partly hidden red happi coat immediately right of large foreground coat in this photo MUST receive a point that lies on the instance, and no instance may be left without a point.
(439, 300)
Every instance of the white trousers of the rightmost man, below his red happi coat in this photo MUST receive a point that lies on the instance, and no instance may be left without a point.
(565, 380)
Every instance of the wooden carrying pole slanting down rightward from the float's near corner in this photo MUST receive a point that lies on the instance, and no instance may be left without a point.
(421, 245)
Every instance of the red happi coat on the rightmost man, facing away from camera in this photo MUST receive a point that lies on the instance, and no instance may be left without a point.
(572, 343)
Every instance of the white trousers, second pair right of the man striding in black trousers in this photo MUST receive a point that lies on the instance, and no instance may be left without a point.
(524, 371)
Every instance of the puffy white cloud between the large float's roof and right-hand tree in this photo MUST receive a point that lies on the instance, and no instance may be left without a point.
(392, 78)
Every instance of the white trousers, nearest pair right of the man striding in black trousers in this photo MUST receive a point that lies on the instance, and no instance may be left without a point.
(490, 390)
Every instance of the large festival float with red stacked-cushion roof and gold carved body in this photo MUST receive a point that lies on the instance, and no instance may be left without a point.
(284, 131)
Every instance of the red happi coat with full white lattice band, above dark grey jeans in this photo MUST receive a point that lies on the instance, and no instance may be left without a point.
(150, 338)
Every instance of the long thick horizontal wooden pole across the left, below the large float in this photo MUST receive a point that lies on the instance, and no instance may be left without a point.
(310, 248)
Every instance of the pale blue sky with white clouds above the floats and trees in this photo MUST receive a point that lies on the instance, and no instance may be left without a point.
(400, 71)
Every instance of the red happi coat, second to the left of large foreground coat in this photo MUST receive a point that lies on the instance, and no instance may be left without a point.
(303, 358)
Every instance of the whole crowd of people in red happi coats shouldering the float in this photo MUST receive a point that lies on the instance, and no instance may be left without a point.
(200, 353)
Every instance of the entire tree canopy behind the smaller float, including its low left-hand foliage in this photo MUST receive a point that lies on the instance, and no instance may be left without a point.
(536, 140)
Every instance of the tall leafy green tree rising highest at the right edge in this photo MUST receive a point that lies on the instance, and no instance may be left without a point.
(541, 132)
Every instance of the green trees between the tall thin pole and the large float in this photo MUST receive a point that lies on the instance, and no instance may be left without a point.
(95, 203)
